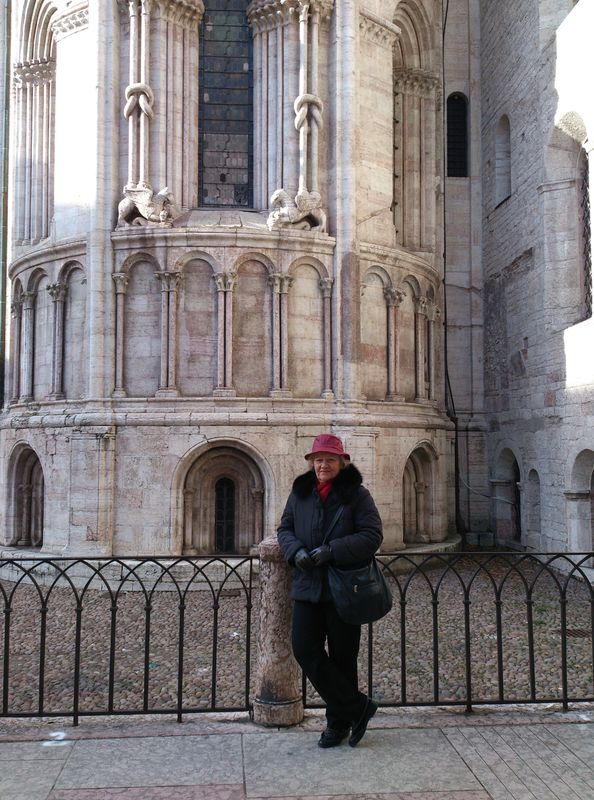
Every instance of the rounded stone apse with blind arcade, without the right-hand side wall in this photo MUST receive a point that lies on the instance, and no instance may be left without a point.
(165, 350)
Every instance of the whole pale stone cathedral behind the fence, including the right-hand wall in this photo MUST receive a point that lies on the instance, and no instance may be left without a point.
(228, 226)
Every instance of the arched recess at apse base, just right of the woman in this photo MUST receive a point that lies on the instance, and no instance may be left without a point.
(418, 498)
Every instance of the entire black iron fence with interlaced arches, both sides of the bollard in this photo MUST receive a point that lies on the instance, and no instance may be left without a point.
(161, 636)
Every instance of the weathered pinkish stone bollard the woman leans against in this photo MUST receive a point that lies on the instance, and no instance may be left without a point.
(278, 700)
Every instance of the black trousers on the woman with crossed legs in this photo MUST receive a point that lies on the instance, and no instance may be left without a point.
(333, 674)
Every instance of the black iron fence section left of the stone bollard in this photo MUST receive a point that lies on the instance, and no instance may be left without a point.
(118, 636)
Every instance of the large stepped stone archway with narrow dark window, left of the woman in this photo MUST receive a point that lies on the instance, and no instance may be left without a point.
(223, 503)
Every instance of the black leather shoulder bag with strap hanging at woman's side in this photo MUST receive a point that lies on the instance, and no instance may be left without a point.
(361, 594)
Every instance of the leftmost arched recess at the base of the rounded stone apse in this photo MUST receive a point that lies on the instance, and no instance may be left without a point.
(28, 500)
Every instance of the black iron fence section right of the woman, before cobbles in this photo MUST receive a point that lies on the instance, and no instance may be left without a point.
(483, 628)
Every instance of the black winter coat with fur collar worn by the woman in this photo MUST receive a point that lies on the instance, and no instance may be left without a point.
(354, 539)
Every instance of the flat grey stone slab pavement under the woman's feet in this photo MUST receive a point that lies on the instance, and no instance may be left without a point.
(534, 753)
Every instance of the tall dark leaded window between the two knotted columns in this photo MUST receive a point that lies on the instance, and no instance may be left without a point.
(226, 108)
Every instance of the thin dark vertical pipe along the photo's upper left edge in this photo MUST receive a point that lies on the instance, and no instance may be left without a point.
(5, 24)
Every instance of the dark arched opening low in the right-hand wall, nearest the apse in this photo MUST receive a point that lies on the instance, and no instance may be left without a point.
(507, 499)
